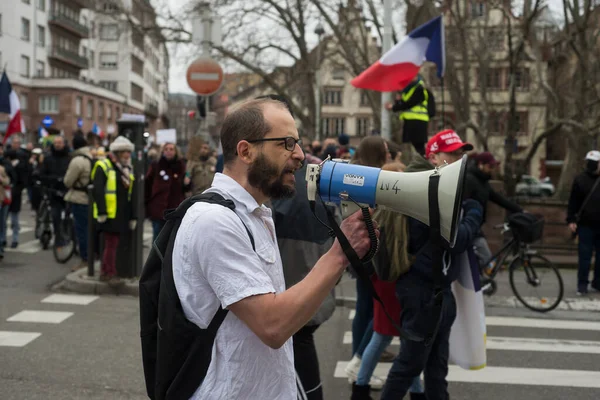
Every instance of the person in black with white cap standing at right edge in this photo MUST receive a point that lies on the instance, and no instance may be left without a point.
(583, 217)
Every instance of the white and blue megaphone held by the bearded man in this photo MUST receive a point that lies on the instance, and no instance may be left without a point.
(404, 192)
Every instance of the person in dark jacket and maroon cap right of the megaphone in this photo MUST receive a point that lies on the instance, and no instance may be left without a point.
(478, 187)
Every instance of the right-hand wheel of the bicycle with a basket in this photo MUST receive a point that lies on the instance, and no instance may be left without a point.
(538, 273)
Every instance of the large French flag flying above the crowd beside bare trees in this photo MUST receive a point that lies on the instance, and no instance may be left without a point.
(399, 66)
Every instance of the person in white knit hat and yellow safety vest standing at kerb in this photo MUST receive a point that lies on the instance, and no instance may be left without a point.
(113, 204)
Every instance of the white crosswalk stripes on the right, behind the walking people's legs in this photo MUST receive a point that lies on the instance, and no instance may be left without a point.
(520, 340)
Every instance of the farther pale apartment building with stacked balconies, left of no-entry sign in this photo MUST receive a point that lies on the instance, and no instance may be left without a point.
(128, 55)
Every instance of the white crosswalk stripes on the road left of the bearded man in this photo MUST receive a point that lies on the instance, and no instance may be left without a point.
(22, 337)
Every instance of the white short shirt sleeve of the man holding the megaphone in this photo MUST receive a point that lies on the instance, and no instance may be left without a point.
(225, 256)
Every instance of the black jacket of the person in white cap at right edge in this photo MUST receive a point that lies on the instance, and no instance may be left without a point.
(582, 185)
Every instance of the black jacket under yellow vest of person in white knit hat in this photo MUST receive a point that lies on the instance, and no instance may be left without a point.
(125, 210)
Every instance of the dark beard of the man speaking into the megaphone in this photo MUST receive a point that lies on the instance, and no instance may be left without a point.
(264, 176)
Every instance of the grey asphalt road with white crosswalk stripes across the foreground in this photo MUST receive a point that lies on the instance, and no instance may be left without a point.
(89, 348)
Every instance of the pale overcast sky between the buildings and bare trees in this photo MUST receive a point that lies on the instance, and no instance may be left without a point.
(182, 55)
